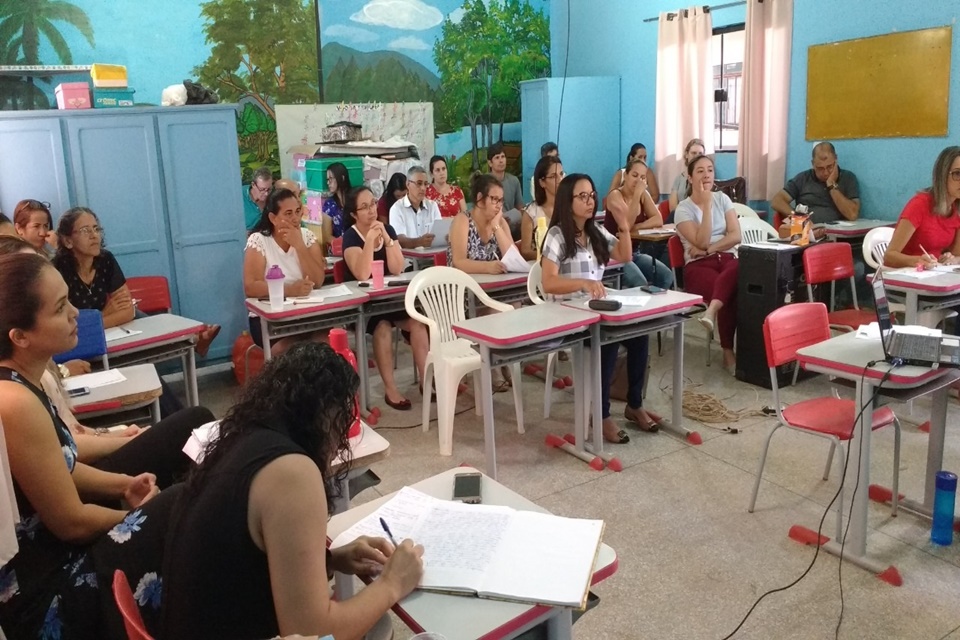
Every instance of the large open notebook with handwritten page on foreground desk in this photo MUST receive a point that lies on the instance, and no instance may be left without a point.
(491, 551)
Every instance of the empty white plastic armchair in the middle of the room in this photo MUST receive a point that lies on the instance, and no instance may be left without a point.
(441, 293)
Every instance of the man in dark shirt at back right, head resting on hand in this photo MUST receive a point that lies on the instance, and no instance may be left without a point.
(831, 193)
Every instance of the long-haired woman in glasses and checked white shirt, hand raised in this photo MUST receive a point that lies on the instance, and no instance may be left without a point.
(574, 255)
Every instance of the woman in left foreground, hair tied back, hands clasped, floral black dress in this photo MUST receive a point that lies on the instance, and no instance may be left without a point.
(50, 588)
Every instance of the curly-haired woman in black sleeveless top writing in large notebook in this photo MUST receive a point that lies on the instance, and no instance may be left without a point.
(246, 555)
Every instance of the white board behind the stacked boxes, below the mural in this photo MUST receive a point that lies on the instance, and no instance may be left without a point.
(299, 124)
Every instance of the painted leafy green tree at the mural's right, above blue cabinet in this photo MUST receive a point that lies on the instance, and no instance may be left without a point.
(482, 60)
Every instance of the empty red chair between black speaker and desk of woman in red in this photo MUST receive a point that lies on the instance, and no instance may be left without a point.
(829, 262)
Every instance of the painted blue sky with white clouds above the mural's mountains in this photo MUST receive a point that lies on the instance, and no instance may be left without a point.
(409, 27)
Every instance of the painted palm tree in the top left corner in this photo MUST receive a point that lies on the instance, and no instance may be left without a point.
(22, 23)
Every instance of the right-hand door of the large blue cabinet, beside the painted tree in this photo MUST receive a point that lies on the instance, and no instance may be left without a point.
(201, 173)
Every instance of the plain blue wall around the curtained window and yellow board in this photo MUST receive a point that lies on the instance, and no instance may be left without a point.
(610, 38)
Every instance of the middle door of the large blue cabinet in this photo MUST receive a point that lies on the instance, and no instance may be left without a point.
(116, 173)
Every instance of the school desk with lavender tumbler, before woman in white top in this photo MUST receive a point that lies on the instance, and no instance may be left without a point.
(297, 319)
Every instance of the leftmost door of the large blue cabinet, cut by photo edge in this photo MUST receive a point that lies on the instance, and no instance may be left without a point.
(31, 164)
